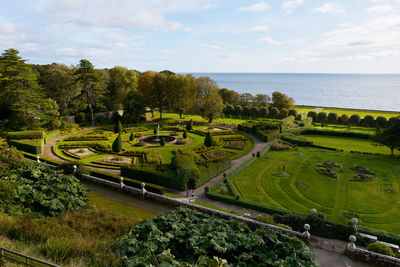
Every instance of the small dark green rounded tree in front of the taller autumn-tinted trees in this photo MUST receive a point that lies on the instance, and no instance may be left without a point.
(134, 107)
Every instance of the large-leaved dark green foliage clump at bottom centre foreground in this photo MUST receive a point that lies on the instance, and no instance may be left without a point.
(185, 237)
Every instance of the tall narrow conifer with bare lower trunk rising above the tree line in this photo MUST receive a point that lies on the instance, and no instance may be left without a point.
(88, 79)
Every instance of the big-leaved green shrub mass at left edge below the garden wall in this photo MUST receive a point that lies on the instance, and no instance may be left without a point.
(41, 191)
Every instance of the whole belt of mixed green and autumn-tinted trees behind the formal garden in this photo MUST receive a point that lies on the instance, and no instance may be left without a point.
(34, 96)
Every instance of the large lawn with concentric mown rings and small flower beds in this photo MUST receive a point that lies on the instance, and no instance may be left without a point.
(375, 203)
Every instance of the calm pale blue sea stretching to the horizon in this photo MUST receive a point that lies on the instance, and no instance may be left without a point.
(362, 91)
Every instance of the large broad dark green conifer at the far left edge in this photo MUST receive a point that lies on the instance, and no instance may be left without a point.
(22, 101)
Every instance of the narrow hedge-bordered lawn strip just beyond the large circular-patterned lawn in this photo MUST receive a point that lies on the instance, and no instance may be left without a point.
(348, 144)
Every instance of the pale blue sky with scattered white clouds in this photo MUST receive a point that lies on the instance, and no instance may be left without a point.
(293, 36)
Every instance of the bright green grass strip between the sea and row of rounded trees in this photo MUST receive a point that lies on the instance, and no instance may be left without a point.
(362, 112)
